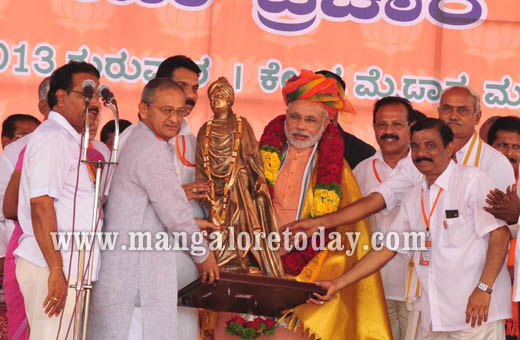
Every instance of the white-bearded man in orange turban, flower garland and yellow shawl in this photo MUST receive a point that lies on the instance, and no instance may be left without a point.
(308, 177)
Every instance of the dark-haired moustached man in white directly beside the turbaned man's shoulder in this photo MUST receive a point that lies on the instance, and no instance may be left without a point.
(392, 118)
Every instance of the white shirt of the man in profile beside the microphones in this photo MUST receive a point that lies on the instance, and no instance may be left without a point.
(50, 167)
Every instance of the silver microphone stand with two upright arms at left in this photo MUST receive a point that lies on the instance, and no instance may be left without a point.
(84, 287)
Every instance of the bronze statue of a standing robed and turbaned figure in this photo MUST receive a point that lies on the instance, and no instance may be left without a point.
(229, 159)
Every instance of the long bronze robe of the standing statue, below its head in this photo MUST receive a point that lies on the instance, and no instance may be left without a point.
(248, 209)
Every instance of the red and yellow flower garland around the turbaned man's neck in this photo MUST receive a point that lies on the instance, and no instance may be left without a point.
(327, 191)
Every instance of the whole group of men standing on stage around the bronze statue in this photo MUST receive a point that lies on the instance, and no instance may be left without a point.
(433, 176)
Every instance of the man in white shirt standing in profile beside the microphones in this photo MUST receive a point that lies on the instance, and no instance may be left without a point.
(54, 188)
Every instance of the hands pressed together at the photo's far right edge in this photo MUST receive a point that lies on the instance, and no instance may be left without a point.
(504, 206)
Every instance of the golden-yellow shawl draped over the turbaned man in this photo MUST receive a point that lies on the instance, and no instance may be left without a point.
(357, 312)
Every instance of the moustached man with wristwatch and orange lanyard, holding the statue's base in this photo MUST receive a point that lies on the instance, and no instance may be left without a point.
(460, 263)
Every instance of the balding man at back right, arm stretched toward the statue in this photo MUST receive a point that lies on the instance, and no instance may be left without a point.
(459, 108)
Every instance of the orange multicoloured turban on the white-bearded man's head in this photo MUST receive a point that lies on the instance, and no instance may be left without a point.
(317, 88)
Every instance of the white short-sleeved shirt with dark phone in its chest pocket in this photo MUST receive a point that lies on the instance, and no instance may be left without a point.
(459, 247)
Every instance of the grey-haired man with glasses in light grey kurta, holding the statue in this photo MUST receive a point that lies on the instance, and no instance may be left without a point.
(146, 196)
